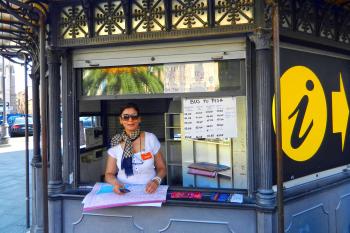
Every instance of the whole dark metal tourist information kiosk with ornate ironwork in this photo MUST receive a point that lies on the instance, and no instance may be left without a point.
(202, 73)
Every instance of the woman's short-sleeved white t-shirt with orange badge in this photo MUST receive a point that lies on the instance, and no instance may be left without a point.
(143, 169)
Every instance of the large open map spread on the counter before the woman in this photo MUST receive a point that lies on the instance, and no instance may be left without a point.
(102, 196)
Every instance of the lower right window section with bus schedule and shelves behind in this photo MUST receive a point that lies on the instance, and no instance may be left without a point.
(202, 157)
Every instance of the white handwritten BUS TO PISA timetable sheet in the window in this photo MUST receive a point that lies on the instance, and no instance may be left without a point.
(210, 118)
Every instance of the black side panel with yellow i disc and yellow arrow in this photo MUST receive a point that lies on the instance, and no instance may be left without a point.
(315, 97)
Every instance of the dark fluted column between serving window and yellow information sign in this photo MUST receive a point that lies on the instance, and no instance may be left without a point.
(263, 82)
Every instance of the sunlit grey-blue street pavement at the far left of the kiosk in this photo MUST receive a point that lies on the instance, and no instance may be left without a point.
(12, 186)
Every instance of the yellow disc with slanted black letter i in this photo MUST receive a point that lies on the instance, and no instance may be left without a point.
(303, 113)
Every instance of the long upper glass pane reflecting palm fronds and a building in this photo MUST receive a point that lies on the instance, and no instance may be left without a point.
(192, 77)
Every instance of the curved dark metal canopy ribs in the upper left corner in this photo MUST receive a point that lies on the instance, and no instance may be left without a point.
(19, 21)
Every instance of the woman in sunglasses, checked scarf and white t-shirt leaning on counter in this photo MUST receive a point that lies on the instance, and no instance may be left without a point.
(134, 156)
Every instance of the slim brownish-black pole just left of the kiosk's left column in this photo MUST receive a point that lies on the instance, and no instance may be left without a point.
(43, 109)
